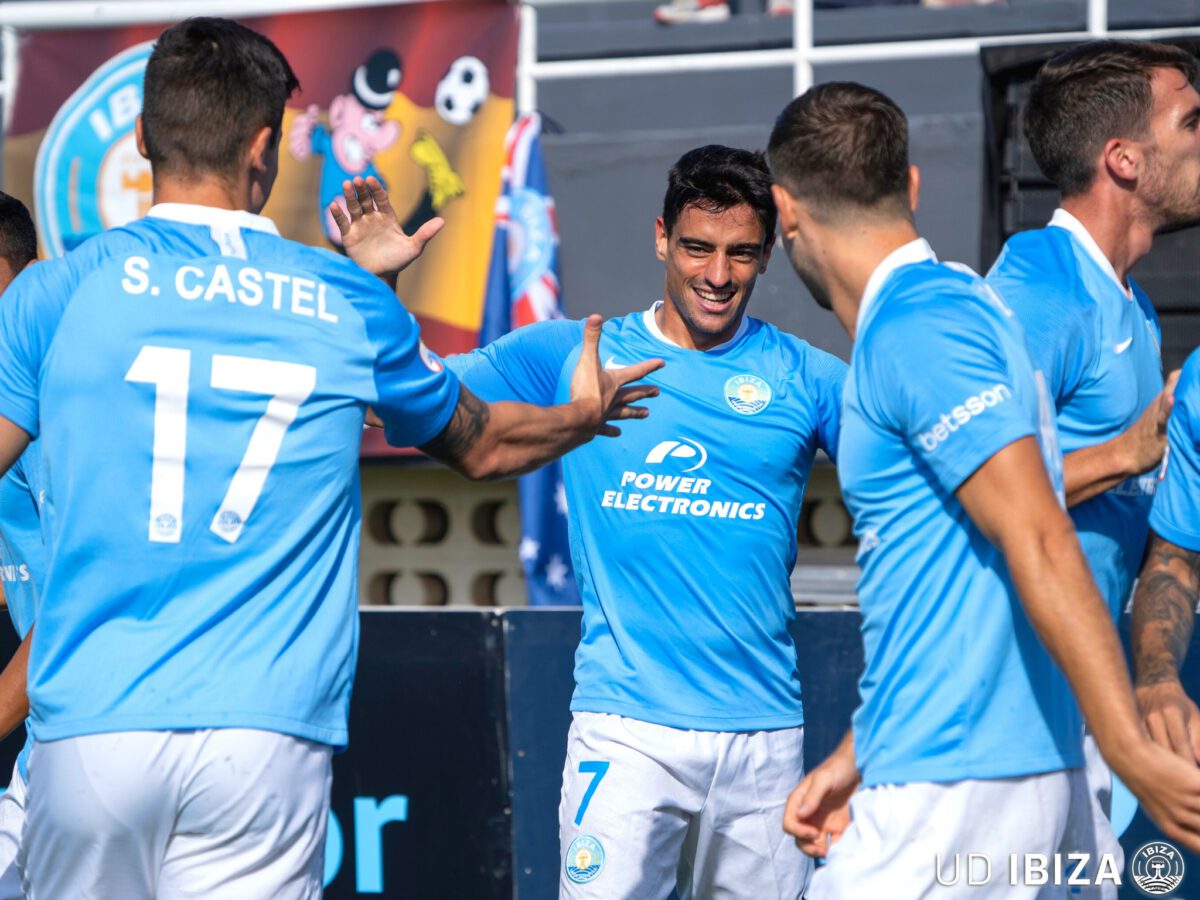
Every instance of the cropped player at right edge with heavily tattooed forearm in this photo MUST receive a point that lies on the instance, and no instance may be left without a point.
(1165, 605)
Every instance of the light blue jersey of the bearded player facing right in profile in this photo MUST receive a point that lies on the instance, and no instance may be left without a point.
(1100, 350)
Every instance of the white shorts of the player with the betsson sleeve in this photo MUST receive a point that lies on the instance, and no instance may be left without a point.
(938, 842)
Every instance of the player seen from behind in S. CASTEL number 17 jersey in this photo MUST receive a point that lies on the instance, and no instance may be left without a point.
(191, 665)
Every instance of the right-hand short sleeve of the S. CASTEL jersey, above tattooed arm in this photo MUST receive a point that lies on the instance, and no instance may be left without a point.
(416, 393)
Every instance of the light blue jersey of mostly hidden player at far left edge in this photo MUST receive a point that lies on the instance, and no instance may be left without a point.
(22, 551)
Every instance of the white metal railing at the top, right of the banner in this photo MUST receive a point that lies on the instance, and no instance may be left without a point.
(802, 57)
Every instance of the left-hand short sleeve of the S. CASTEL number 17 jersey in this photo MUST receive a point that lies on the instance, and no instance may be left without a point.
(29, 315)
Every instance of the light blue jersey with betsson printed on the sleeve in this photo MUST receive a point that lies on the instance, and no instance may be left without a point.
(957, 683)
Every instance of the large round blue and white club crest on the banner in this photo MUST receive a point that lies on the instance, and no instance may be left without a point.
(89, 176)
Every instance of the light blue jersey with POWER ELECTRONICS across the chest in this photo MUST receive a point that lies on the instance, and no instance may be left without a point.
(683, 530)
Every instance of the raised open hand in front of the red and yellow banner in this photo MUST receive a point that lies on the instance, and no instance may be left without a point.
(371, 232)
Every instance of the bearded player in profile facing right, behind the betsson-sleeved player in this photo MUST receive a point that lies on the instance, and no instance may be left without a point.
(1117, 127)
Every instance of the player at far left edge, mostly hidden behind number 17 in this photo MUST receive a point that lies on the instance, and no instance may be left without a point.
(22, 562)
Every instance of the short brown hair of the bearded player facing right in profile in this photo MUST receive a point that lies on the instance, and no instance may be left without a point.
(1089, 95)
